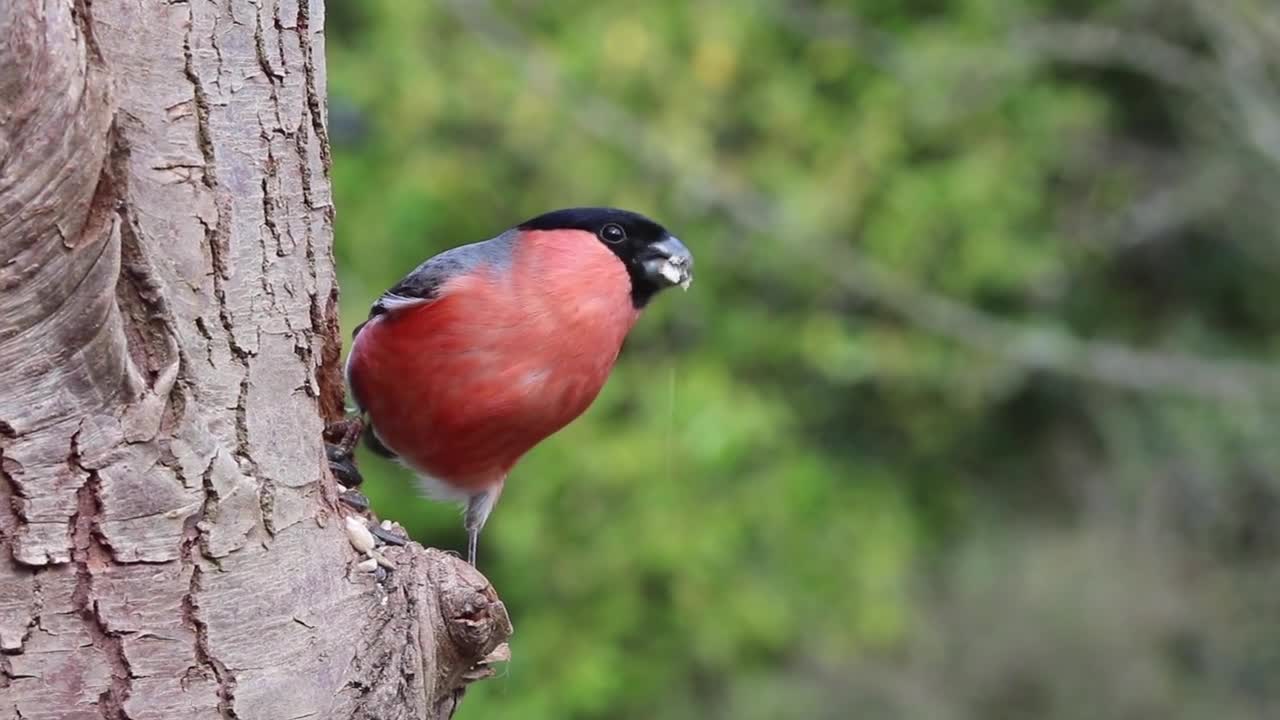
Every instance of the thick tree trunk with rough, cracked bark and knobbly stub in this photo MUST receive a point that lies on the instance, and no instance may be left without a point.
(170, 540)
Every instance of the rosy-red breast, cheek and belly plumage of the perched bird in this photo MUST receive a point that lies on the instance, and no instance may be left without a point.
(461, 388)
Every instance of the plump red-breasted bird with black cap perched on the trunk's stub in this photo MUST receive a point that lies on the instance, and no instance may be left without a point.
(486, 350)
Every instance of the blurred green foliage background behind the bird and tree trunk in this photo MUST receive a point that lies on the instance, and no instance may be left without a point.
(970, 391)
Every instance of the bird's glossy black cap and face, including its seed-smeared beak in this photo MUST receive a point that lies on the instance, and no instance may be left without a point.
(655, 258)
